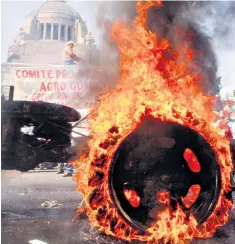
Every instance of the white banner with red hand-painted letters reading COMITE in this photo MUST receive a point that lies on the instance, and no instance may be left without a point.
(66, 85)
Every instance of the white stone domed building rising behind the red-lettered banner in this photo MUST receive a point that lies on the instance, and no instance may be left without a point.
(42, 38)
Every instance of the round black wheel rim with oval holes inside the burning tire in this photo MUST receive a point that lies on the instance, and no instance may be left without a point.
(155, 150)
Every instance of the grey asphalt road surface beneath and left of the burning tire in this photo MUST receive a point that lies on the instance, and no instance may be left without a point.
(26, 217)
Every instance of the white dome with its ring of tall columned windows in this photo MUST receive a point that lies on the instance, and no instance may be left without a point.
(56, 20)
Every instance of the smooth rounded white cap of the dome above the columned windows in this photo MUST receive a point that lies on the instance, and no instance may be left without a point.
(57, 9)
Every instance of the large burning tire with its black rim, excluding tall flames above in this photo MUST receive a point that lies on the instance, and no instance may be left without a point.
(162, 175)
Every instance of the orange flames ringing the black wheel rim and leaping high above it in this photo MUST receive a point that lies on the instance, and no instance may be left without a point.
(163, 86)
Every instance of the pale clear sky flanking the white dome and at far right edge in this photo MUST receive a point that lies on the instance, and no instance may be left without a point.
(13, 14)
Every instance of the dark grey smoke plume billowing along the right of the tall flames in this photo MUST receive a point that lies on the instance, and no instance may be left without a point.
(176, 22)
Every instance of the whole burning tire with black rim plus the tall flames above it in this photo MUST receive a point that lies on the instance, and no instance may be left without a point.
(154, 143)
